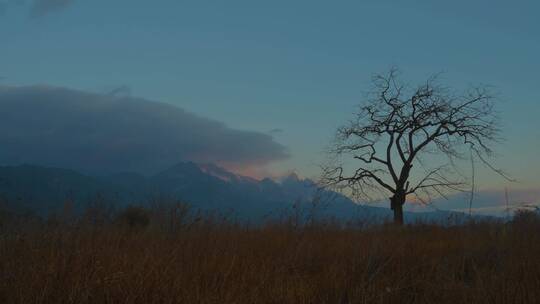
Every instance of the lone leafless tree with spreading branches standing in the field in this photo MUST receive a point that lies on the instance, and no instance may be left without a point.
(399, 127)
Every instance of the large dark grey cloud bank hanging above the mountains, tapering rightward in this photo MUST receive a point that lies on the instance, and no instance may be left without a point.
(104, 134)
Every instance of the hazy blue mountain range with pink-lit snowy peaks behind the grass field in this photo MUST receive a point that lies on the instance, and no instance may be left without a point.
(205, 187)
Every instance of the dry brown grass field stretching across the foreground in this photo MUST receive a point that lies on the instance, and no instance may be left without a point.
(278, 263)
